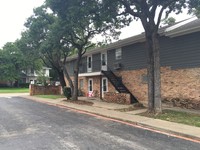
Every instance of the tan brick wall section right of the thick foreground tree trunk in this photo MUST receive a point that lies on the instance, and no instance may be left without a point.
(182, 83)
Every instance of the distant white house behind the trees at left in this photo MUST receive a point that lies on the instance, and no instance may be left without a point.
(30, 75)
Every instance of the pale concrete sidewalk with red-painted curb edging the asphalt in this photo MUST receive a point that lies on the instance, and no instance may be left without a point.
(142, 122)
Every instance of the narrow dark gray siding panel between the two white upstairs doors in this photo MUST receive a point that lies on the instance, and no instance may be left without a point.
(96, 62)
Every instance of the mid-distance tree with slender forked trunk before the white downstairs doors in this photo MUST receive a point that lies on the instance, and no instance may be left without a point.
(81, 21)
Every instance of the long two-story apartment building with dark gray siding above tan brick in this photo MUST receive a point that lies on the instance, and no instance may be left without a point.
(120, 68)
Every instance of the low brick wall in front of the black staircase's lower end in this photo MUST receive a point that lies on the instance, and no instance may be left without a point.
(120, 98)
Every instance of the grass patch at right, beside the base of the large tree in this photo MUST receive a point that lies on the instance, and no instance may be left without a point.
(178, 117)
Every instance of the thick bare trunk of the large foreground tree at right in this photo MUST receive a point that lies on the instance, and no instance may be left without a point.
(154, 85)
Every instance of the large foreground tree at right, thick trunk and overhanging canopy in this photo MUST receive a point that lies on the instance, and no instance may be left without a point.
(150, 12)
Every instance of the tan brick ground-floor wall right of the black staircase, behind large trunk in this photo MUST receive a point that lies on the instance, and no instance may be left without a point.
(180, 83)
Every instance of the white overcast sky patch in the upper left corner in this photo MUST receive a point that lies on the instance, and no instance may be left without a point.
(13, 15)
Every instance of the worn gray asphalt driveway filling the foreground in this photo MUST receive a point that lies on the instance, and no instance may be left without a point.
(29, 125)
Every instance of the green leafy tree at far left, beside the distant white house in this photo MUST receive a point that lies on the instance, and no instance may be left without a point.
(13, 61)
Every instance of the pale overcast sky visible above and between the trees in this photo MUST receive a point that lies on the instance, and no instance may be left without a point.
(13, 15)
